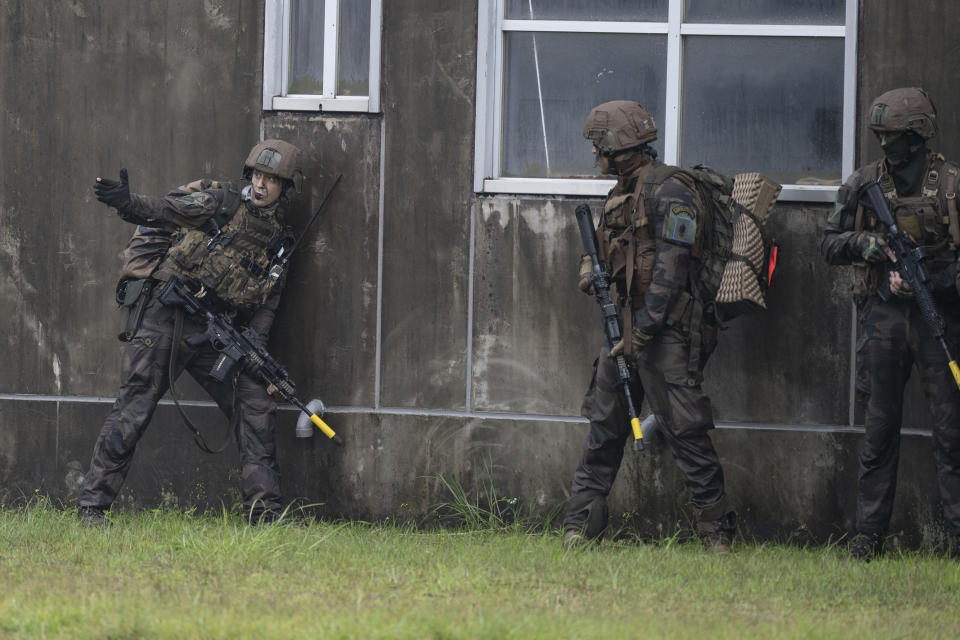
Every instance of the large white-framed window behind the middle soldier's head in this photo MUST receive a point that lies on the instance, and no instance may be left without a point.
(740, 85)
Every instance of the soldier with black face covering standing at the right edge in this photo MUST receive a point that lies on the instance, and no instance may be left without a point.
(920, 187)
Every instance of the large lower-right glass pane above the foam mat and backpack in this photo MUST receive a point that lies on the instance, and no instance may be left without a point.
(773, 105)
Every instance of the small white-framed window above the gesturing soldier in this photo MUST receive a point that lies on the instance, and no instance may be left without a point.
(322, 55)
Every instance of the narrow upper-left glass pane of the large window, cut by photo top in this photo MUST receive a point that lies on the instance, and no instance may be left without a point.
(616, 10)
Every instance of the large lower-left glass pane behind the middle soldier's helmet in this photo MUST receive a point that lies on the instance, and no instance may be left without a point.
(573, 73)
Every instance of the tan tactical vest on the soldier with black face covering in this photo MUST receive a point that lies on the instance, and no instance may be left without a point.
(930, 219)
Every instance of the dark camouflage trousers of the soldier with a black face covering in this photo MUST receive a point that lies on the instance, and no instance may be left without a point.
(894, 337)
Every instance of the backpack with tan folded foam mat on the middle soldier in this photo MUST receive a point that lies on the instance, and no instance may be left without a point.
(728, 272)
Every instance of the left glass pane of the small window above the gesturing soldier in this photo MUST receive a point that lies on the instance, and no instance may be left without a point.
(306, 47)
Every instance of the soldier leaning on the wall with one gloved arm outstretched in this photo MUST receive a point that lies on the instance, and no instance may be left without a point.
(229, 244)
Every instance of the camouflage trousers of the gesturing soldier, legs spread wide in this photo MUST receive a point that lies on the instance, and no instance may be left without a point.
(145, 379)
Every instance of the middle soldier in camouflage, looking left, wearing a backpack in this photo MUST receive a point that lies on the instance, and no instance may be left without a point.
(650, 253)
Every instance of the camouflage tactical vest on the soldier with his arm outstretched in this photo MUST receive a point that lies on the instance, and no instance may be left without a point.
(238, 262)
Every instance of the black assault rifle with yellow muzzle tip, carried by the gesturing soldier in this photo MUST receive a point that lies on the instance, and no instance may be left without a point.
(239, 347)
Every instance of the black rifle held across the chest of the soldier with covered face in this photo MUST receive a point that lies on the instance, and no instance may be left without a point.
(910, 265)
